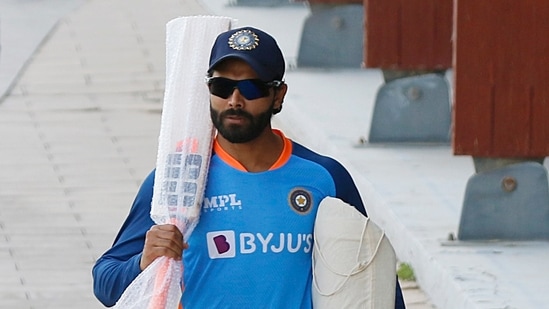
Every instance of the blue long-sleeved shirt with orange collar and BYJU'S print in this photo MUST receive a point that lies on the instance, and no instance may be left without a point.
(252, 246)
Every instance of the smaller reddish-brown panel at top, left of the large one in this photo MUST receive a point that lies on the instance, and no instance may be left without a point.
(408, 34)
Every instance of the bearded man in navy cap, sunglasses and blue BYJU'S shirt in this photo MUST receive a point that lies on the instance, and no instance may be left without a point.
(252, 246)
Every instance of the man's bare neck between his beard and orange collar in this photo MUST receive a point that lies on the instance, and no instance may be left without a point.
(257, 155)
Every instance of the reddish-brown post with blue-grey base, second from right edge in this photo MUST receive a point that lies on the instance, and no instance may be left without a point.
(411, 42)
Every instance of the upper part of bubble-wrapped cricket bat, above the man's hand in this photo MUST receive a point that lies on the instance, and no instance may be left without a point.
(186, 133)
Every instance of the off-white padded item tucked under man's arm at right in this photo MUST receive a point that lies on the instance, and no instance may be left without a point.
(354, 264)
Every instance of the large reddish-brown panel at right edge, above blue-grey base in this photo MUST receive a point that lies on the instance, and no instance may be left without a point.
(501, 78)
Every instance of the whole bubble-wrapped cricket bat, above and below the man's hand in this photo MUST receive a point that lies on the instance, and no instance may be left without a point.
(184, 151)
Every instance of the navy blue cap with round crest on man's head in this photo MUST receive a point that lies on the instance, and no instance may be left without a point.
(252, 45)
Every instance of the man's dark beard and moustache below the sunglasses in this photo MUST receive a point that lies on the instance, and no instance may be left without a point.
(241, 133)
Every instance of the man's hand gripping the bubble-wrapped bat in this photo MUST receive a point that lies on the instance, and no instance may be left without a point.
(162, 240)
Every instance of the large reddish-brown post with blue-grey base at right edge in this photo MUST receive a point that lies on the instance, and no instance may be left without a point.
(500, 116)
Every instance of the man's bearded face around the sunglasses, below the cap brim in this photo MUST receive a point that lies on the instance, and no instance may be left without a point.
(236, 118)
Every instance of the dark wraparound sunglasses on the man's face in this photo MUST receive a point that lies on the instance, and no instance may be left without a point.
(251, 89)
